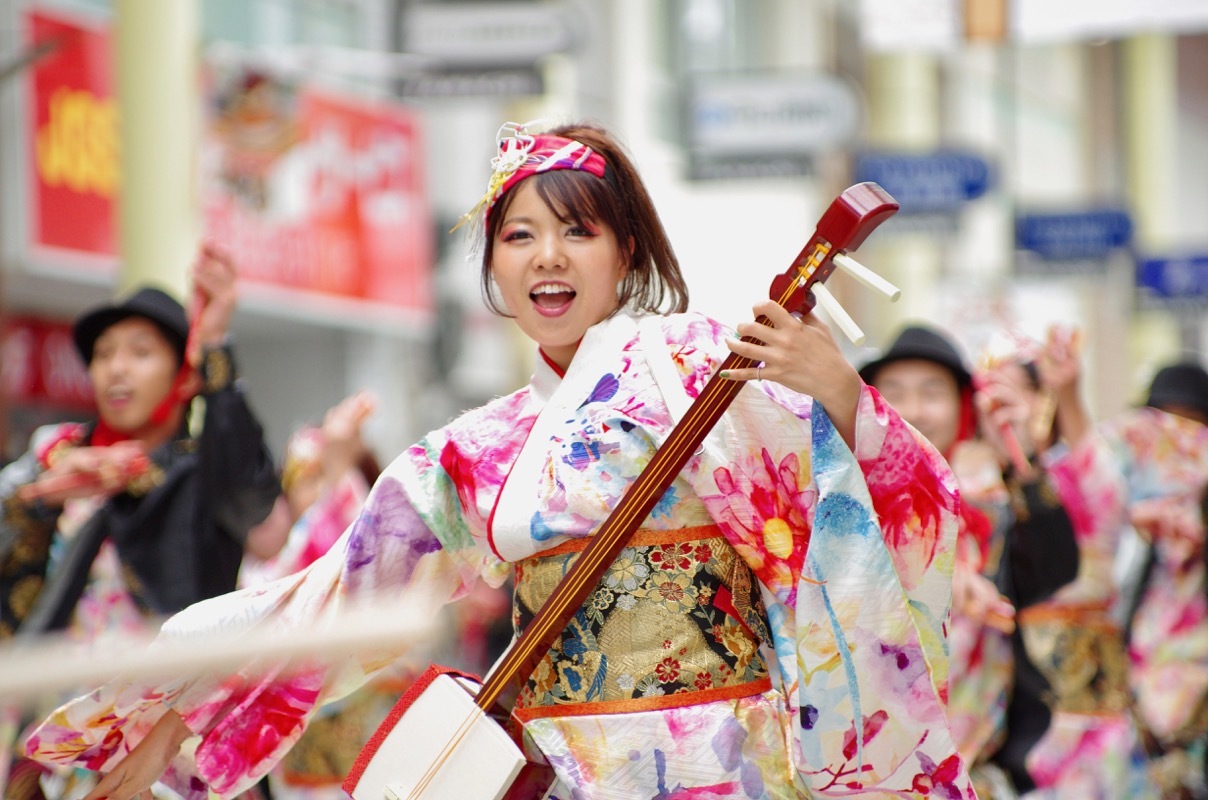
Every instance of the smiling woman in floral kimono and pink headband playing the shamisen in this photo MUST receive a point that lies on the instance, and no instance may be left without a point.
(776, 629)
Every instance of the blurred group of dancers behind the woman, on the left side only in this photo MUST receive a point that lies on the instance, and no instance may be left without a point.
(112, 526)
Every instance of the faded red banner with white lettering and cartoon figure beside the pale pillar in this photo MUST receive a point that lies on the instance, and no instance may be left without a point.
(322, 193)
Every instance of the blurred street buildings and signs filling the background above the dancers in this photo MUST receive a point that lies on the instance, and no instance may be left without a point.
(1052, 167)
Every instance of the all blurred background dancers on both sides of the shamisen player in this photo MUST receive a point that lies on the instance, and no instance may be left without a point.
(1079, 627)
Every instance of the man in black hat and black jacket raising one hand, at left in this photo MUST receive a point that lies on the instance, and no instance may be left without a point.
(175, 509)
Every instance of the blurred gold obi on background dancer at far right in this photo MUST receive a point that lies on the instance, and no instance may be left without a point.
(1081, 651)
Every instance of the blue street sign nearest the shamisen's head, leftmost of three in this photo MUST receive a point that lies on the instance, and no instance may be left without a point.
(926, 183)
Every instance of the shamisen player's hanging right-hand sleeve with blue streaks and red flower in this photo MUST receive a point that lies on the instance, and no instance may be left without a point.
(872, 611)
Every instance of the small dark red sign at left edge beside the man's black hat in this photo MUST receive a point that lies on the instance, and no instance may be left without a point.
(40, 366)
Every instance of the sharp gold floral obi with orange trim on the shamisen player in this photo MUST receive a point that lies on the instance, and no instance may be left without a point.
(677, 621)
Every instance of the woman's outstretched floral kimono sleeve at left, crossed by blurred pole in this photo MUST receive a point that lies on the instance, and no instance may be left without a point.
(247, 721)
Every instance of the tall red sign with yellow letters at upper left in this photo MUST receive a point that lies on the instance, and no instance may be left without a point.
(74, 148)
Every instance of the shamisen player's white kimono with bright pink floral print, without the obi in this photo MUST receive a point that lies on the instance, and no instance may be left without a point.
(853, 553)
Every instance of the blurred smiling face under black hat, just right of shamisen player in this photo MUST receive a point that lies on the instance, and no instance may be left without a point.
(927, 396)
